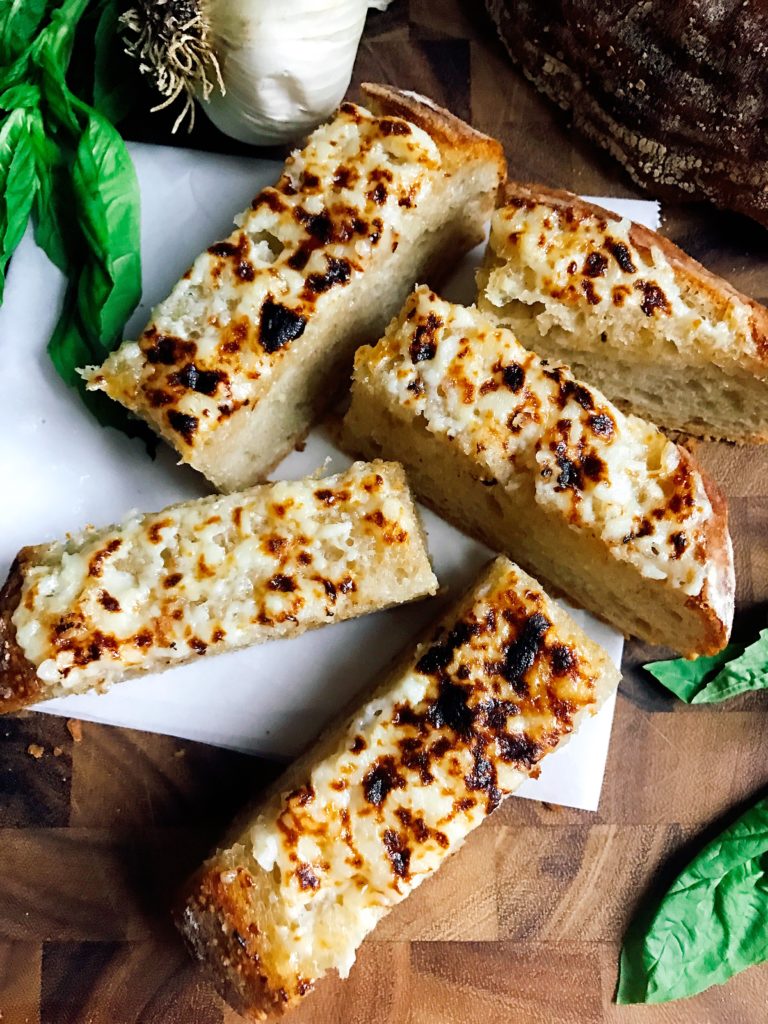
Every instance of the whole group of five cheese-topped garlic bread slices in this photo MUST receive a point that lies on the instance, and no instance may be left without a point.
(528, 420)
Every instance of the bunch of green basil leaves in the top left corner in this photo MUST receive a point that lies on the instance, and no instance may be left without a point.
(64, 161)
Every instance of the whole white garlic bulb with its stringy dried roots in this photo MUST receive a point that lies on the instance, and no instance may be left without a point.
(264, 71)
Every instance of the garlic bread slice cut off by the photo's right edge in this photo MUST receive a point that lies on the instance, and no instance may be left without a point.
(630, 312)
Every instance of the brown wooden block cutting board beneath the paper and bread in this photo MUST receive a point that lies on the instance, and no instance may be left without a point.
(524, 926)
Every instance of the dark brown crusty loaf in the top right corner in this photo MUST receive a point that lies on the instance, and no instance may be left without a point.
(677, 93)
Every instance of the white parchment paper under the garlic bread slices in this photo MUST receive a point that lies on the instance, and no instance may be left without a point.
(61, 471)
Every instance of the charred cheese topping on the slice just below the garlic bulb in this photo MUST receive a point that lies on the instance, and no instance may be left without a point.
(216, 344)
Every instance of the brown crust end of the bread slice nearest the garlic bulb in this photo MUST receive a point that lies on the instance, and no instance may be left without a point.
(449, 132)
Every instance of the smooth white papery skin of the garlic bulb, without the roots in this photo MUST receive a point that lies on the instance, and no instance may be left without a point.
(285, 65)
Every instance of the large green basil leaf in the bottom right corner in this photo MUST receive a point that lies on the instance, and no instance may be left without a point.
(710, 925)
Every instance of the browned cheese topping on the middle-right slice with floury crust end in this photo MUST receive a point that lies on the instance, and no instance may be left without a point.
(614, 476)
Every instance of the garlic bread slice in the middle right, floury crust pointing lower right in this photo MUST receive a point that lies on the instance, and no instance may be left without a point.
(519, 453)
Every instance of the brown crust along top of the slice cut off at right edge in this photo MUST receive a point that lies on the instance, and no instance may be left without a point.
(694, 274)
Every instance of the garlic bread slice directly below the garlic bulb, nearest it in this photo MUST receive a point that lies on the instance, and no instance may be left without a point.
(259, 336)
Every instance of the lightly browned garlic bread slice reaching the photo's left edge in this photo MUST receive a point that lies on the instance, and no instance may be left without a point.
(207, 577)
